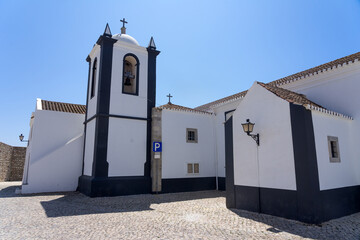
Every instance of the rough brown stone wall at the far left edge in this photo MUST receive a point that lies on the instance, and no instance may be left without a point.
(11, 162)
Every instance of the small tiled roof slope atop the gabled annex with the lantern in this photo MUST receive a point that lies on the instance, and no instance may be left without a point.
(289, 96)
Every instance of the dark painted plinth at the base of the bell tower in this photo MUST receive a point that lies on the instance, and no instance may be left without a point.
(114, 186)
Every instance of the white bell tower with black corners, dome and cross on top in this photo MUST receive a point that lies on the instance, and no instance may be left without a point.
(120, 96)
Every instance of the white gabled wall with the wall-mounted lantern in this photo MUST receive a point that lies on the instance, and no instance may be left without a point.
(271, 116)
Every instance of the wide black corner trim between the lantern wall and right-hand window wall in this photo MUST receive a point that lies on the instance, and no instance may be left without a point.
(306, 170)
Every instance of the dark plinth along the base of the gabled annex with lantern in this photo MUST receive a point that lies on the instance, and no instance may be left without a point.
(335, 203)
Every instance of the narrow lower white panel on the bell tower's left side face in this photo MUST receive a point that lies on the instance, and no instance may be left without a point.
(89, 147)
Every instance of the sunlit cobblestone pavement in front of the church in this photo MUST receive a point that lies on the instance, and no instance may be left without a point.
(198, 215)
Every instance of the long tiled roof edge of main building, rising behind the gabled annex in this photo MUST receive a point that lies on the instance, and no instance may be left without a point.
(294, 77)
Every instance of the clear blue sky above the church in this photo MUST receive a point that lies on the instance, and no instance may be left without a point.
(209, 49)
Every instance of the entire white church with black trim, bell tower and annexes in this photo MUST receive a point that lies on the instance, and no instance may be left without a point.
(288, 148)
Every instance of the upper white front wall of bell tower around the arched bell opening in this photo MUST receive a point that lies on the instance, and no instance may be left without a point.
(125, 104)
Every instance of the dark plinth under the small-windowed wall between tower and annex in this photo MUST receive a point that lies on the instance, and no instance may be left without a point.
(188, 184)
